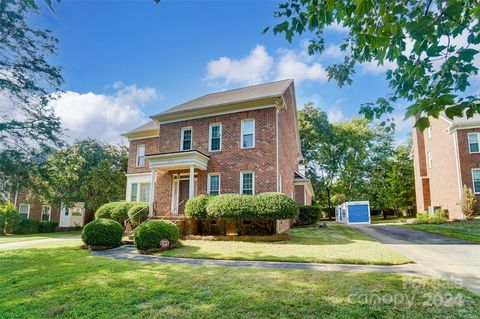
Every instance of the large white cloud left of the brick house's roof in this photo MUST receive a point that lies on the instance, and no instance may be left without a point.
(103, 116)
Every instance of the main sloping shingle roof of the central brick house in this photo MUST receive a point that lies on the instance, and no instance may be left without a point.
(255, 92)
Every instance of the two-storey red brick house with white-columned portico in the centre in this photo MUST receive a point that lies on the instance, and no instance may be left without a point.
(238, 141)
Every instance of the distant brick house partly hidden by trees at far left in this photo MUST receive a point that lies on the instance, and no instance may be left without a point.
(30, 207)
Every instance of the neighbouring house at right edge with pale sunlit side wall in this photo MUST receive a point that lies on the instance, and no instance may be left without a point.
(446, 157)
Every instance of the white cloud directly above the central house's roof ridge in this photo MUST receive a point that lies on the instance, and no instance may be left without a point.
(252, 69)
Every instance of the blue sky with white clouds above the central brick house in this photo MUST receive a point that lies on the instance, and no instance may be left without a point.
(125, 60)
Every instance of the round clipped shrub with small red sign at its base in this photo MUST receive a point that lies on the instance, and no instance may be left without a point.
(149, 234)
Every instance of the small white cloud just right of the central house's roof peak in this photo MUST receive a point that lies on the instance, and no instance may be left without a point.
(299, 67)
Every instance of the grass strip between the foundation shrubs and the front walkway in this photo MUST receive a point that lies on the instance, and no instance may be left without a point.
(337, 244)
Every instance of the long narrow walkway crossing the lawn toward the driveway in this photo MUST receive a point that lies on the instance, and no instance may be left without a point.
(130, 253)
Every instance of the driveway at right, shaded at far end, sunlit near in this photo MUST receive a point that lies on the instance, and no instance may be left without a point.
(453, 259)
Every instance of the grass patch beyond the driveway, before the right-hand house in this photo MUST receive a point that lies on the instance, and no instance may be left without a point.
(466, 230)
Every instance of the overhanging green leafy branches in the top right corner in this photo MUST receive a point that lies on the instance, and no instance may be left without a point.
(433, 44)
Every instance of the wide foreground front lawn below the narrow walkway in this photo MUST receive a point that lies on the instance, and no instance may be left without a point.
(69, 283)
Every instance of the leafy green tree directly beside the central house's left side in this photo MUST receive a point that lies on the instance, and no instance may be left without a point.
(88, 171)
